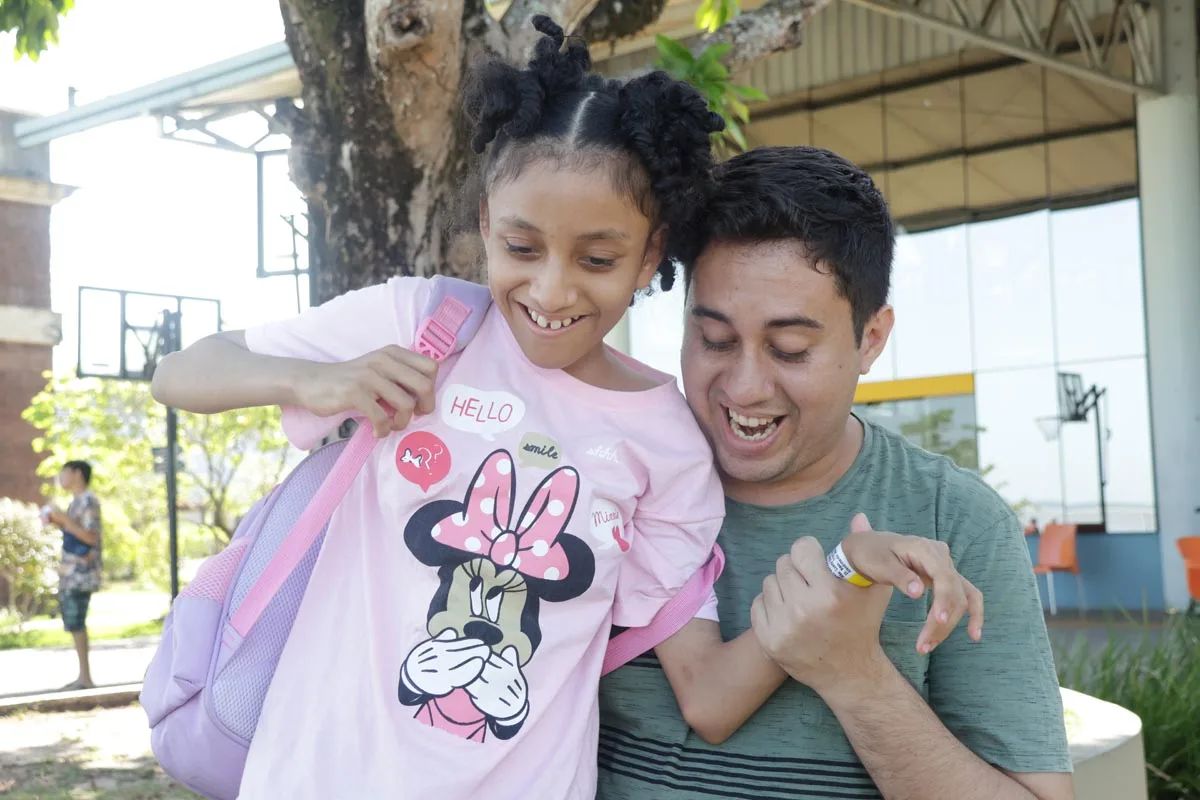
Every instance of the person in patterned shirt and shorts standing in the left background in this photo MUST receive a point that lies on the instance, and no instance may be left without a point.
(80, 572)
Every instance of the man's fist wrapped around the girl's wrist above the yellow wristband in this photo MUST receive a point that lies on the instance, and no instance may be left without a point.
(815, 625)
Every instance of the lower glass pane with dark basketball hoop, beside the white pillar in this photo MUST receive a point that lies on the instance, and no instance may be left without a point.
(1130, 492)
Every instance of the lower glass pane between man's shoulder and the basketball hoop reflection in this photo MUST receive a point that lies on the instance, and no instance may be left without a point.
(1015, 455)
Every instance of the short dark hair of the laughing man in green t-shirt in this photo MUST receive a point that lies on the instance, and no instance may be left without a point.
(818, 199)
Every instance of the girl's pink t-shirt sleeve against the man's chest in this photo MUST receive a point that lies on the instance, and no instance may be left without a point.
(673, 536)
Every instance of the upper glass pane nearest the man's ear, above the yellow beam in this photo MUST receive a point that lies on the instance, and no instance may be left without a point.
(931, 292)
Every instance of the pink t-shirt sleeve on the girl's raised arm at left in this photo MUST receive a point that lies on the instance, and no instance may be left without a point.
(344, 329)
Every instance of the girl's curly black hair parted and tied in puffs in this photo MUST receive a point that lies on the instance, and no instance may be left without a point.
(652, 133)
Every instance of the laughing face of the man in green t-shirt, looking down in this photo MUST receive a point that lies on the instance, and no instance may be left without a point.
(771, 362)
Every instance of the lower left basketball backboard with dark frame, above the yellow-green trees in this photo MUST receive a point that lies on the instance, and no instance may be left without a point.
(121, 330)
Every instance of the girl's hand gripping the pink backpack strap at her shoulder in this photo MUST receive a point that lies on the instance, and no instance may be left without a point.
(388, 387)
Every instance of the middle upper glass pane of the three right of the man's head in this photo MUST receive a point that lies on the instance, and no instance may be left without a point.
(1011, 293)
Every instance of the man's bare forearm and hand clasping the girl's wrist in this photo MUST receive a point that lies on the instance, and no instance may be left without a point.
(826, 634)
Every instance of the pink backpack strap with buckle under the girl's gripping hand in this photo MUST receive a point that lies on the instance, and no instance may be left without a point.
(453, 316)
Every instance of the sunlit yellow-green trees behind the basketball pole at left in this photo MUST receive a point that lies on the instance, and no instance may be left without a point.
(229, 461)
